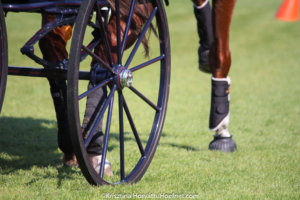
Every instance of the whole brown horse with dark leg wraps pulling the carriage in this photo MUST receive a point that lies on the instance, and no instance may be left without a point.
(214, 58)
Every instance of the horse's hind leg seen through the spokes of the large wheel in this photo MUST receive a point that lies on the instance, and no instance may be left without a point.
(100, 50)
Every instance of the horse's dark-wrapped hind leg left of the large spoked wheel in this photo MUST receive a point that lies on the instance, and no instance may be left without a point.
(53, 48)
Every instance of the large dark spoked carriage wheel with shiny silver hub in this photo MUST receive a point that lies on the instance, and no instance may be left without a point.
(135, 84)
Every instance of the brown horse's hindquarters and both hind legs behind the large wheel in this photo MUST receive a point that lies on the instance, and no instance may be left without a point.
(53, 48)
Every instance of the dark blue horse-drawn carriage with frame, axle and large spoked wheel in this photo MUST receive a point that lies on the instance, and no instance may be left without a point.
(90, 19)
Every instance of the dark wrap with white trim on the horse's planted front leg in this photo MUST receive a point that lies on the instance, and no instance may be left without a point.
(219, 110)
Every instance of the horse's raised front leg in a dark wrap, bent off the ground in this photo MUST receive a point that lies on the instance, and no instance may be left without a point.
(202, 12)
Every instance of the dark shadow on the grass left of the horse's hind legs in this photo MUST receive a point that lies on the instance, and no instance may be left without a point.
(26, 143)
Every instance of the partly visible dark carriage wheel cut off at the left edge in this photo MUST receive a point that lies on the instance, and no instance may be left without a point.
(3, 56)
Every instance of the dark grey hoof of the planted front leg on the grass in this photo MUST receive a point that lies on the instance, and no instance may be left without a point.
(225, 144)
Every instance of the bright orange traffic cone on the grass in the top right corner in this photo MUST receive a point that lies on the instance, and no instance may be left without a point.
(288, 11)
